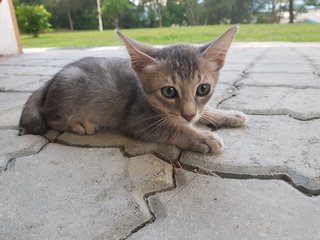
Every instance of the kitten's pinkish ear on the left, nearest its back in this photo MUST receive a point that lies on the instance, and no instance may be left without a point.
(141, 55)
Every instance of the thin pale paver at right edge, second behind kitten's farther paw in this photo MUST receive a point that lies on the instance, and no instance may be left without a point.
(280, 80)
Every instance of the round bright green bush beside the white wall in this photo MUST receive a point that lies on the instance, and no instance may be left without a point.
(33, 19)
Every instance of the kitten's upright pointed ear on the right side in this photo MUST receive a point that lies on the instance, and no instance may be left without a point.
(216, 51)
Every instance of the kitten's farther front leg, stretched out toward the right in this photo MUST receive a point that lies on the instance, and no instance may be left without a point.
(223, 118)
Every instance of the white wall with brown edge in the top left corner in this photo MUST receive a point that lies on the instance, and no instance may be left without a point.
(9, 34)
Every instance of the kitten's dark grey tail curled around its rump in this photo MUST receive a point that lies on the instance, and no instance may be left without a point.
(31, 121)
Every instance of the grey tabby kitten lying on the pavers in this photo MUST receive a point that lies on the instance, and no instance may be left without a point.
(158, 95)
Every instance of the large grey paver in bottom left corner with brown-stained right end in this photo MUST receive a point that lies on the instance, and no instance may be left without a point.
(78, 193)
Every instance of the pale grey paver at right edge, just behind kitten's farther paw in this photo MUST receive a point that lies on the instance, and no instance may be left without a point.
(302, 104)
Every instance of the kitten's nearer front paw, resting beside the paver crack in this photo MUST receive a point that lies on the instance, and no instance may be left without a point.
(206, 142)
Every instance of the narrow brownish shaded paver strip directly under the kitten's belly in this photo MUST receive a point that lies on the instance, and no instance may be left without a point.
(131, 147)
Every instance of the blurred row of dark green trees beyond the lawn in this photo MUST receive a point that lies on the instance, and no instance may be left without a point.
(82, 14)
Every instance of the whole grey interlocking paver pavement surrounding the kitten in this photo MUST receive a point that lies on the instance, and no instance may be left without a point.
(264, 184)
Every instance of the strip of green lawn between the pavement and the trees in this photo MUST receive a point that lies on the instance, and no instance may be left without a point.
(197, 34)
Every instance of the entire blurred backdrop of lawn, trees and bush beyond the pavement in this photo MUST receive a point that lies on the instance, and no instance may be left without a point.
(180, 20)
